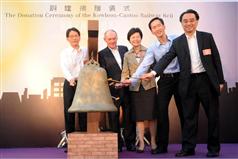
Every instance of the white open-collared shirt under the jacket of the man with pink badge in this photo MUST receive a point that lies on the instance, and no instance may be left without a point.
(196, 63)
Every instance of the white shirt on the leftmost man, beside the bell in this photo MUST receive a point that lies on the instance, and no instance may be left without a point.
(72, 61)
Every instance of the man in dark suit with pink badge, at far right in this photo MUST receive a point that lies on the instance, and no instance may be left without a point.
(201, 81)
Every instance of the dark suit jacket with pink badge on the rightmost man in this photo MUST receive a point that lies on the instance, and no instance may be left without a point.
(211, 61)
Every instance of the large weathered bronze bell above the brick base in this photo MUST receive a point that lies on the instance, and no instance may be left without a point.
(92, 92)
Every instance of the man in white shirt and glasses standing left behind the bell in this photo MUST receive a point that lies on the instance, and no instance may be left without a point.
(72, 61)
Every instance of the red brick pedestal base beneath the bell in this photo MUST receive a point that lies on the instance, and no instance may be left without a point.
(92, 145)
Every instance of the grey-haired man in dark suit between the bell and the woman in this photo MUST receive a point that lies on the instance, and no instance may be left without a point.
(111, 59)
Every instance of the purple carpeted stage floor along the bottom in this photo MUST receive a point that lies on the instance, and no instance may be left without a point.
(227, 151)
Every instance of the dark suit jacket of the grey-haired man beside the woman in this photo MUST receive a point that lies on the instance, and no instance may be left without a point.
(109, 63)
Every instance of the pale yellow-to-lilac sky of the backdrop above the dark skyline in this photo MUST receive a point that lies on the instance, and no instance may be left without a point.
(33, 33)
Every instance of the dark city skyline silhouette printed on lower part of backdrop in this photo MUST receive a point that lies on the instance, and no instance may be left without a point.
(36, 121)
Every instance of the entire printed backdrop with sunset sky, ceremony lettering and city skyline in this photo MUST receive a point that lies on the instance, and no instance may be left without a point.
(33, 35)
